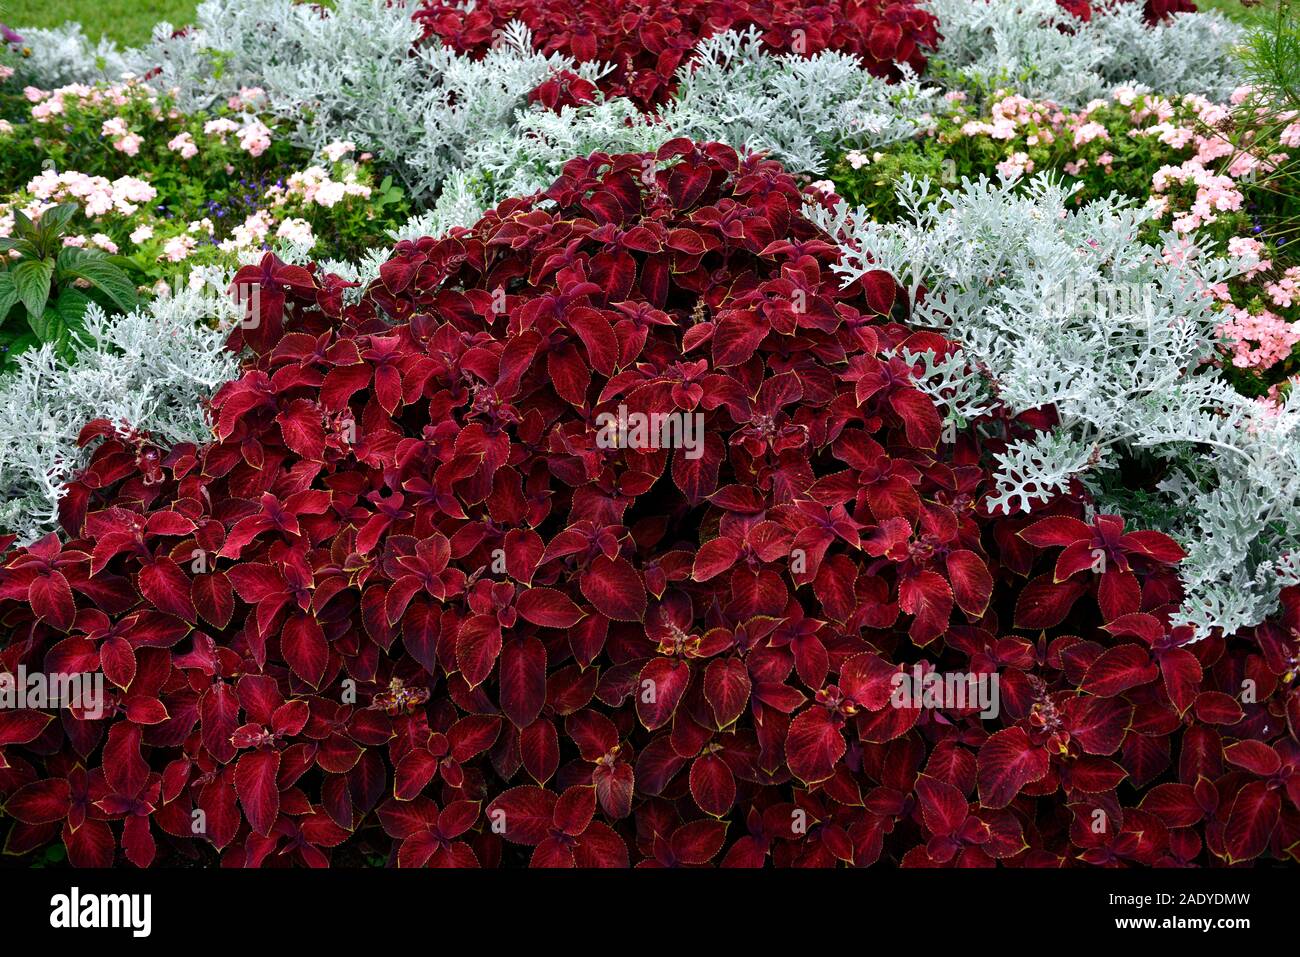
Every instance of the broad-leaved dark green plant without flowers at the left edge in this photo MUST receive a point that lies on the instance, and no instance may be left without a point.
(46, 287)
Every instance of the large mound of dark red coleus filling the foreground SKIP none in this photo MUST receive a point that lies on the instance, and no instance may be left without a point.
(435, 595)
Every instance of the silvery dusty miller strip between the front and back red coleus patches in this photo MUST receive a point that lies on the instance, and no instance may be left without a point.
(733, 92)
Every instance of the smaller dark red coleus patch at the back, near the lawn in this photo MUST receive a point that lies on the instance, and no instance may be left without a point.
(647, 45)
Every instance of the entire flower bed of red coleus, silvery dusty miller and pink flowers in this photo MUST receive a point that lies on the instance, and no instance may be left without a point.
(987, 315)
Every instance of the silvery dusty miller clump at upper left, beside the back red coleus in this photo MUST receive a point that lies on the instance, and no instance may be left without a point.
(357, 73)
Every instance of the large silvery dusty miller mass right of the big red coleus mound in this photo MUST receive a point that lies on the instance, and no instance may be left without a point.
(1061, 306)
